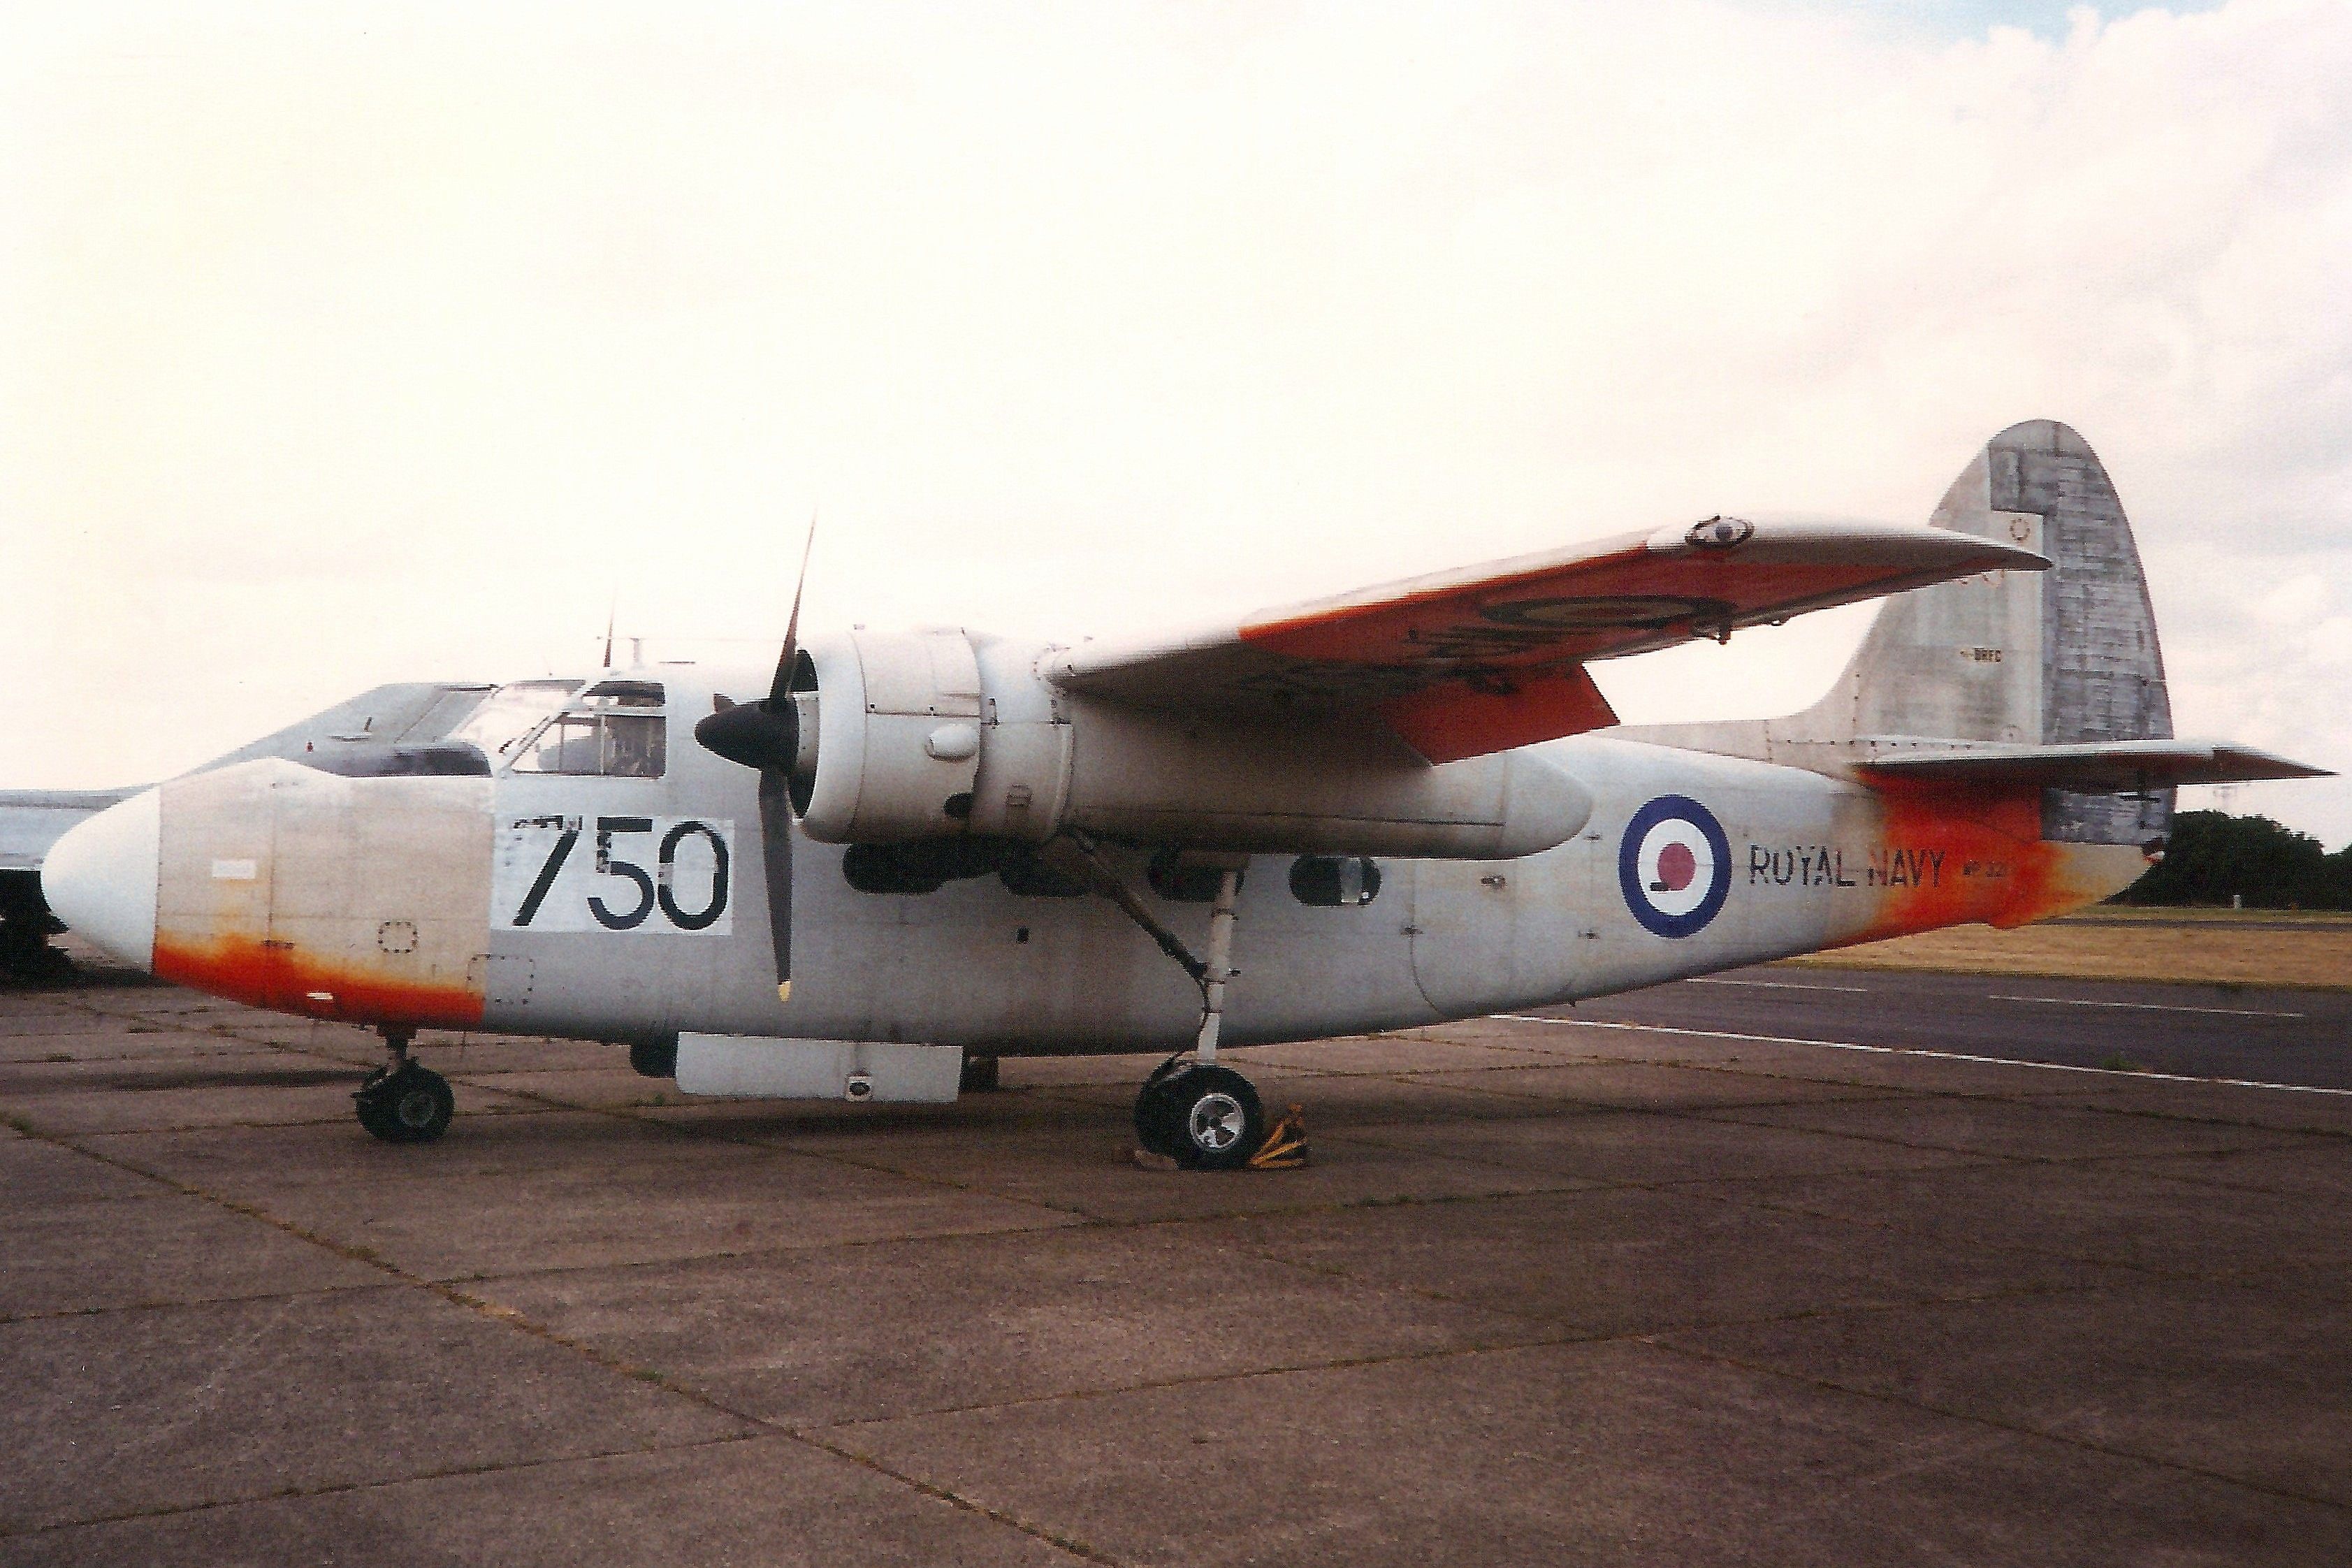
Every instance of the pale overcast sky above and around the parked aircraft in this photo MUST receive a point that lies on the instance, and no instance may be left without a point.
(361, 344)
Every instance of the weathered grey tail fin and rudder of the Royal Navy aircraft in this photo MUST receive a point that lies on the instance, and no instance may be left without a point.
(2064, 657)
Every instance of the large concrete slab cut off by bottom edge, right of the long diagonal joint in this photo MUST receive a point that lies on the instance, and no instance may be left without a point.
(1577, 1454)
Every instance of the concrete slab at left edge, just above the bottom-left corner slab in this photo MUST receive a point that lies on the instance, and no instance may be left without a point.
(192, 1407)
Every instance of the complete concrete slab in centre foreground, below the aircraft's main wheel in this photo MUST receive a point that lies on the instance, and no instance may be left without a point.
(869, 1332)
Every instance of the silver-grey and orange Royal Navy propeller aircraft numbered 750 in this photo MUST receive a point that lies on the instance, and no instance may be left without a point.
(907, 855)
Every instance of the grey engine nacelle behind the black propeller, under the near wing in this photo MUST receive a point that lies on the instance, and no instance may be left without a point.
(942, 735)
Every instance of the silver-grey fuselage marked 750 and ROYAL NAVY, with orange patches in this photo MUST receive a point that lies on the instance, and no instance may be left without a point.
(632, 906)
